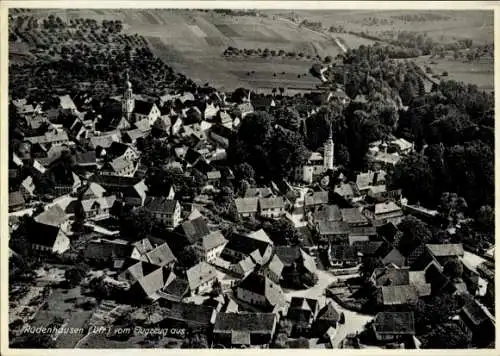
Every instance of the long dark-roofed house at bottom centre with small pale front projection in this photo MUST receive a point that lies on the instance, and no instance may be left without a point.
(244, 329)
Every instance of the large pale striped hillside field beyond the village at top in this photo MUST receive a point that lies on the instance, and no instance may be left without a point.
(193, 42)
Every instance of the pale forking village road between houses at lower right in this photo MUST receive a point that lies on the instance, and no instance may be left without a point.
(354, 322)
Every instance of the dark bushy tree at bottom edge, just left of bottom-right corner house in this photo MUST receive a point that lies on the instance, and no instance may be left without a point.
(446, 336)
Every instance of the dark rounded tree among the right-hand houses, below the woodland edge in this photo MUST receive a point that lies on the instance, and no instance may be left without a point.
(415, 232)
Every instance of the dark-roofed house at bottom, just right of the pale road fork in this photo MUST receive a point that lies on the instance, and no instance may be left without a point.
(394, 326)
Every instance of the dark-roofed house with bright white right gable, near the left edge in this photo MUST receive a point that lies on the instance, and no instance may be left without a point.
(48, 239)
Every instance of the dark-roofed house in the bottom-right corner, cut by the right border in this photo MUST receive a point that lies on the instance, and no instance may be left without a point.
(478, 323)
